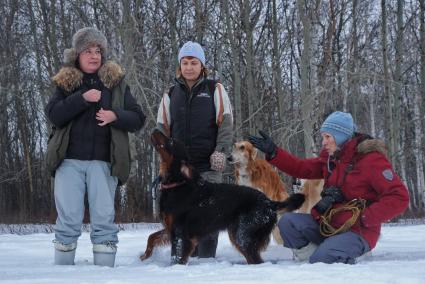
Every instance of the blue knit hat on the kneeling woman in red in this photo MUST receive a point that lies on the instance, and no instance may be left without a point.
(340, 125)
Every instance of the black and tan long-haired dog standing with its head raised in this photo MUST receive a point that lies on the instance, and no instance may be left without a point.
(191, 208)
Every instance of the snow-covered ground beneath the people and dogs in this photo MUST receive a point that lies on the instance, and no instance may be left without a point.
(398, 258)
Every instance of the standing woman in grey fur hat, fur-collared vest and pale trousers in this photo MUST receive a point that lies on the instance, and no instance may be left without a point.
(92, 111)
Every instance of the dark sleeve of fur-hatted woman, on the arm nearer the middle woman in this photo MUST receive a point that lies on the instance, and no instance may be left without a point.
(131, 118)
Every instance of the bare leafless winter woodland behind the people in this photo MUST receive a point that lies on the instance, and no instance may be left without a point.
(285, 65)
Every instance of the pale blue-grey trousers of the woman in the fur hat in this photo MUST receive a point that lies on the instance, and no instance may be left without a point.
(72, 179)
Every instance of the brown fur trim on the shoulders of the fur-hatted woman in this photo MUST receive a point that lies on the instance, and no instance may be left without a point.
(70, 78)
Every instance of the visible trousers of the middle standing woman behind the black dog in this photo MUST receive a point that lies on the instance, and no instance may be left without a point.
(208, 245)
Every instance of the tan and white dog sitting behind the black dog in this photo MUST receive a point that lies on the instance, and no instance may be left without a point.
(258, 174)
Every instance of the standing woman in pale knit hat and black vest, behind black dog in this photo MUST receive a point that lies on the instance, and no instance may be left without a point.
(197, 111)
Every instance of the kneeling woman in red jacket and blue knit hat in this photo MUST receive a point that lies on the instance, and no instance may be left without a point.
(355, 168)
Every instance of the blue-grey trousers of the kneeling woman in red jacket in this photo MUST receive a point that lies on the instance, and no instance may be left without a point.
(297, 230)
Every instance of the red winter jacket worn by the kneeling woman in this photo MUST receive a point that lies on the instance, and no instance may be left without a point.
(371, 178)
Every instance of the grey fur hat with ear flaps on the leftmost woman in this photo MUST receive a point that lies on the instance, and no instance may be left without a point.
(83, 39)
